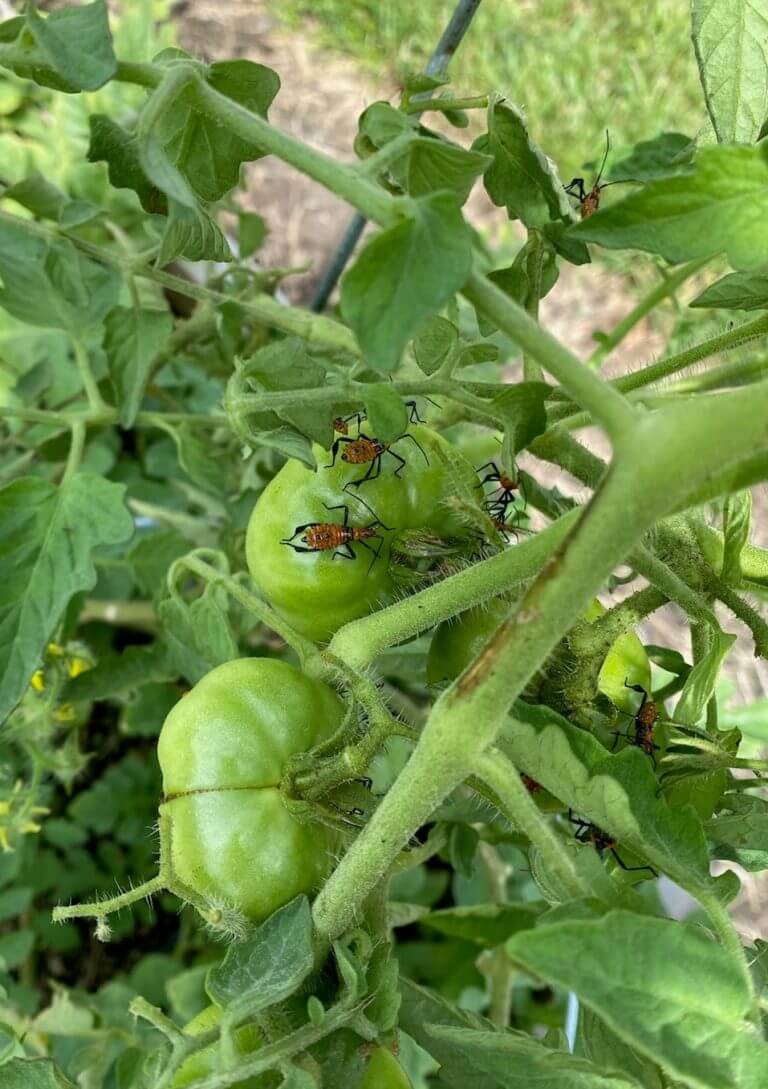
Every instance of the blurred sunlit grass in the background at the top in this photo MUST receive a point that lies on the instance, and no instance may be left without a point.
(578, 68)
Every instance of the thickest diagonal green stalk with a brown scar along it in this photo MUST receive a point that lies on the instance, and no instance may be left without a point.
(469, 716)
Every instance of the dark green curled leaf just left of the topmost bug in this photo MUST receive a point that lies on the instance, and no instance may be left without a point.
(521, 178)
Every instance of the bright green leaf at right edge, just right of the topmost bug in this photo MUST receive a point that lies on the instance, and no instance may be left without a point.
(721, 207)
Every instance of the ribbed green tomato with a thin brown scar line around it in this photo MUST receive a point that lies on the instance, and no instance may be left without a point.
(223, 752)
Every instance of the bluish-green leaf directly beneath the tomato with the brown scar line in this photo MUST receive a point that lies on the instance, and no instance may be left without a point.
(269, 966)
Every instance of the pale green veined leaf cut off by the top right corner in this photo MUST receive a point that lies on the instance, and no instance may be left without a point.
(732, 48)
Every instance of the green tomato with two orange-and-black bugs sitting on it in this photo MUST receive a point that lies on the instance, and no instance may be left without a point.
(318, 592)
